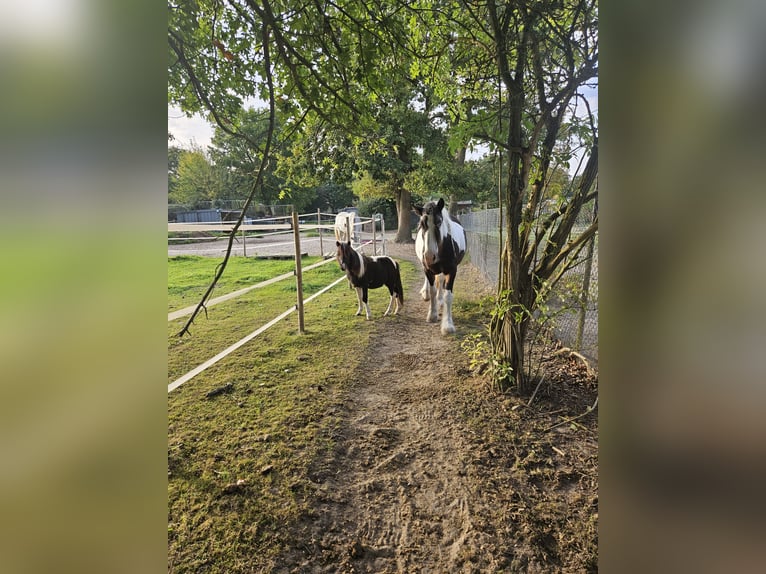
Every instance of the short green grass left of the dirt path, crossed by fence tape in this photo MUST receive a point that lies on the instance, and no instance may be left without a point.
(279, 417)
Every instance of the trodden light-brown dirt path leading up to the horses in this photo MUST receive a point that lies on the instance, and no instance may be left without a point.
(396, 497)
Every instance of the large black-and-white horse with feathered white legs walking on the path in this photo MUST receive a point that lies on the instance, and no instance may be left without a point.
(440, 247)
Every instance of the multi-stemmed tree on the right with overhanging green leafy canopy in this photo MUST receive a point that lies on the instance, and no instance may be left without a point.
(510, 74)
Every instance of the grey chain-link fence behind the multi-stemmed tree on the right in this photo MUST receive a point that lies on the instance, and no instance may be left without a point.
(574, 300)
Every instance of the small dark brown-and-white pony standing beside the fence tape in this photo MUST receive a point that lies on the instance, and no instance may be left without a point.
(370, 273)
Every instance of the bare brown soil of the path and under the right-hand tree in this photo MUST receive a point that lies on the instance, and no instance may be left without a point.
(435, 472)
